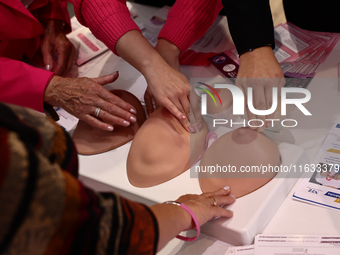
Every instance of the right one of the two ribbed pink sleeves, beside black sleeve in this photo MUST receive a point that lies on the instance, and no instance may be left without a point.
(188, 20)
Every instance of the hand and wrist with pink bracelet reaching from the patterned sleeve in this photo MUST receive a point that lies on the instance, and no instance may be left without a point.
(173, 219)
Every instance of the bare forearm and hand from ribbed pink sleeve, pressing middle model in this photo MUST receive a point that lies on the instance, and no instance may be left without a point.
(168, 86)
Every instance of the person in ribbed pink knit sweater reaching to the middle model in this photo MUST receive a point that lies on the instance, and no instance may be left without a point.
(110, 22)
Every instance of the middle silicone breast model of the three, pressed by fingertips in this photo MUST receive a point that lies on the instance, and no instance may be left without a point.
(160, 150)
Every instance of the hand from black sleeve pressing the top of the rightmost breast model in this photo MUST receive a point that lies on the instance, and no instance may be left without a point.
(260, 70)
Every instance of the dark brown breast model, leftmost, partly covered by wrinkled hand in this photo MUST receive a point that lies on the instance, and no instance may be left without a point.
(90, 140)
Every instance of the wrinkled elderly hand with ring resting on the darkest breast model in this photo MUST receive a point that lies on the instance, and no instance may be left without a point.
(82, 96)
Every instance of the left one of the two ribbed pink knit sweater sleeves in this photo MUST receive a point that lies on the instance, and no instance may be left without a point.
(107, 19)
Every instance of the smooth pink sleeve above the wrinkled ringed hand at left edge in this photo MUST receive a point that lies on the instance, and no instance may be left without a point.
(22, 84)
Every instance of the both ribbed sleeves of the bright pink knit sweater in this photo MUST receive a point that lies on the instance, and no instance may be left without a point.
(187, 21)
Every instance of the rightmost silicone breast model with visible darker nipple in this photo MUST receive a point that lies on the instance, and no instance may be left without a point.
(238, 150)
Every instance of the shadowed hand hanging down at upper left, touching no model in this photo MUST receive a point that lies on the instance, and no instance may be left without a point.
(54, 41)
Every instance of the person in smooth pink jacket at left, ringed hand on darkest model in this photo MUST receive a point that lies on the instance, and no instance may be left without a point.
(30, 26)
